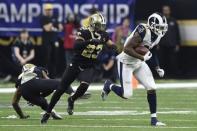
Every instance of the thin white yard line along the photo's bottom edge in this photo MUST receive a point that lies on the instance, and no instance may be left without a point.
(101, 126)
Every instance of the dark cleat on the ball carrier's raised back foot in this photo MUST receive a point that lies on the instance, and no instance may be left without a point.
(106, 90)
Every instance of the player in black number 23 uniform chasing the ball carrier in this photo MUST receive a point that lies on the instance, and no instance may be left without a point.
(89, 43)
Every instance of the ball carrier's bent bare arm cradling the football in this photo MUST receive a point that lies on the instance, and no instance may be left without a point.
(131, 44)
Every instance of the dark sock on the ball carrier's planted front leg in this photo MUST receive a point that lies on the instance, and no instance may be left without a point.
(152, 101)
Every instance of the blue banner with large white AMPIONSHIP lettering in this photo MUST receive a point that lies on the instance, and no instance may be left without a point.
(18, 14)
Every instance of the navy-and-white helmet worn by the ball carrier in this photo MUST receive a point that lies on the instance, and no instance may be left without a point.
(158, 24)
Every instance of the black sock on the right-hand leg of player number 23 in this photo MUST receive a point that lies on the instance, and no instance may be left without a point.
(80, 91)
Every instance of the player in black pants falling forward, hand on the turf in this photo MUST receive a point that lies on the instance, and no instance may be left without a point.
(34, 85)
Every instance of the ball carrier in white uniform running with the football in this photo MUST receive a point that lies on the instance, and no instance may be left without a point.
(130, 62)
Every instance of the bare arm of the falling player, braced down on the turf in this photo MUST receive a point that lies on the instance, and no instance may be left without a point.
(15, 103)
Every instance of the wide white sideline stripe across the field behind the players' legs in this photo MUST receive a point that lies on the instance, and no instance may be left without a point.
(99, 87)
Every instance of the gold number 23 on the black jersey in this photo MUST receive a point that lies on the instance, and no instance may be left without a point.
(92, 51)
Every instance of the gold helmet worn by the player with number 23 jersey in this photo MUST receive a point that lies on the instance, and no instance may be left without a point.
(97, 22)
